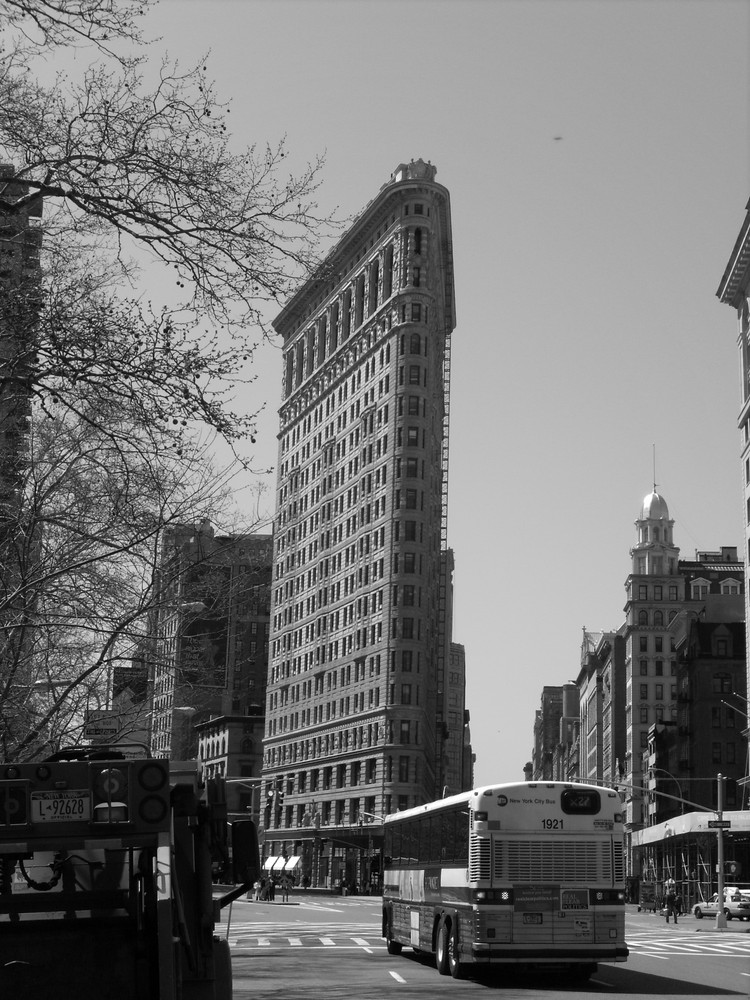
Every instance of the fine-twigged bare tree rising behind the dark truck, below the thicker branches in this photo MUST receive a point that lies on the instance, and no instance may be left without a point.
(83, 581)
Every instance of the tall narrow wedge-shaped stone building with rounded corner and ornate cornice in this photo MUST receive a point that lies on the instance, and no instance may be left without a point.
(356, 701)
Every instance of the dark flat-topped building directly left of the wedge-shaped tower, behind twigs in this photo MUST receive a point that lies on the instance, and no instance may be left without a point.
(209, 661)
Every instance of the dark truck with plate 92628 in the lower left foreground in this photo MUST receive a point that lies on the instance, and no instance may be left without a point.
(106, 878)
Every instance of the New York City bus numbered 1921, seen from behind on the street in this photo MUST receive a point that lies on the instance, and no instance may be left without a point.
(529, 874)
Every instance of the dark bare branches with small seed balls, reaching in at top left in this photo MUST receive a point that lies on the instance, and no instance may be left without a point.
(134, 162)
